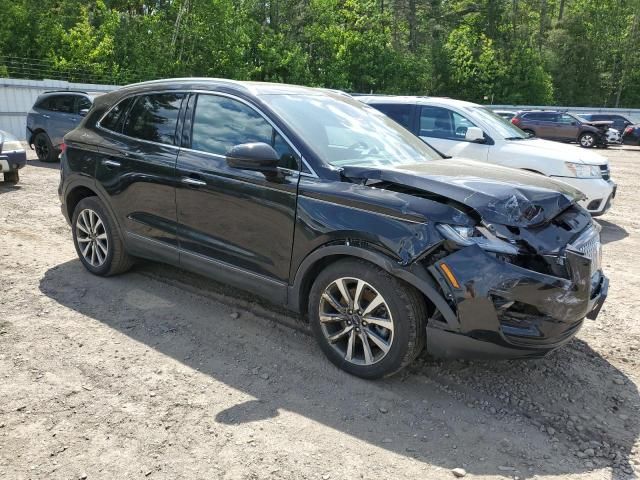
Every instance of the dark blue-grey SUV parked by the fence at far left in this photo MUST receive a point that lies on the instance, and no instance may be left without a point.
(52, 116)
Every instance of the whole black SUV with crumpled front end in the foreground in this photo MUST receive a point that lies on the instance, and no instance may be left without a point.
(318, 202)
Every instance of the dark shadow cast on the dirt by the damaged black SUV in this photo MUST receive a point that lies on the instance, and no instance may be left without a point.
(442, 413)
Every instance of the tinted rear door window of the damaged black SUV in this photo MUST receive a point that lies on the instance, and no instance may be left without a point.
(154, 117)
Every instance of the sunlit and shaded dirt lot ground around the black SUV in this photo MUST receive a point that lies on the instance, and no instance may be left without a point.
(160, 374)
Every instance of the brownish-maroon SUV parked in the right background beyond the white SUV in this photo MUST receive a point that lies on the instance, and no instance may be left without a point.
(562, 126)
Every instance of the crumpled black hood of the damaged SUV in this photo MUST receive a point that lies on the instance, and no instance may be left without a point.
(498, 195)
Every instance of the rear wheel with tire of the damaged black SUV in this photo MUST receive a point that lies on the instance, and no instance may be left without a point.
(97, 239)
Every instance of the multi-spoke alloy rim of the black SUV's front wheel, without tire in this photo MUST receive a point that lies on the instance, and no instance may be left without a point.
(356, 321)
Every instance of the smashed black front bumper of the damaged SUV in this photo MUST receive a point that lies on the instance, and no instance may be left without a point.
(506, 311)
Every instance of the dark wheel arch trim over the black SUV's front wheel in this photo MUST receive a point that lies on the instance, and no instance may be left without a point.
(316, 261)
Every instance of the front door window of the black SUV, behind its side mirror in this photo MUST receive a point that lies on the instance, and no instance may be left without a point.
(221, 123)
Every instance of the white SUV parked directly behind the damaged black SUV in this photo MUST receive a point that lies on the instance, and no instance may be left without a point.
(463, 129)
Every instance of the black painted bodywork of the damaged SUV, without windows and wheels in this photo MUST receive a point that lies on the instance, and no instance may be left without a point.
(273, 234)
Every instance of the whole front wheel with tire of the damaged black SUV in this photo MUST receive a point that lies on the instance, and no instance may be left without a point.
(366, 321)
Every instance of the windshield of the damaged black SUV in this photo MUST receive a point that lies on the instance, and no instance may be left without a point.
(342, 131)
